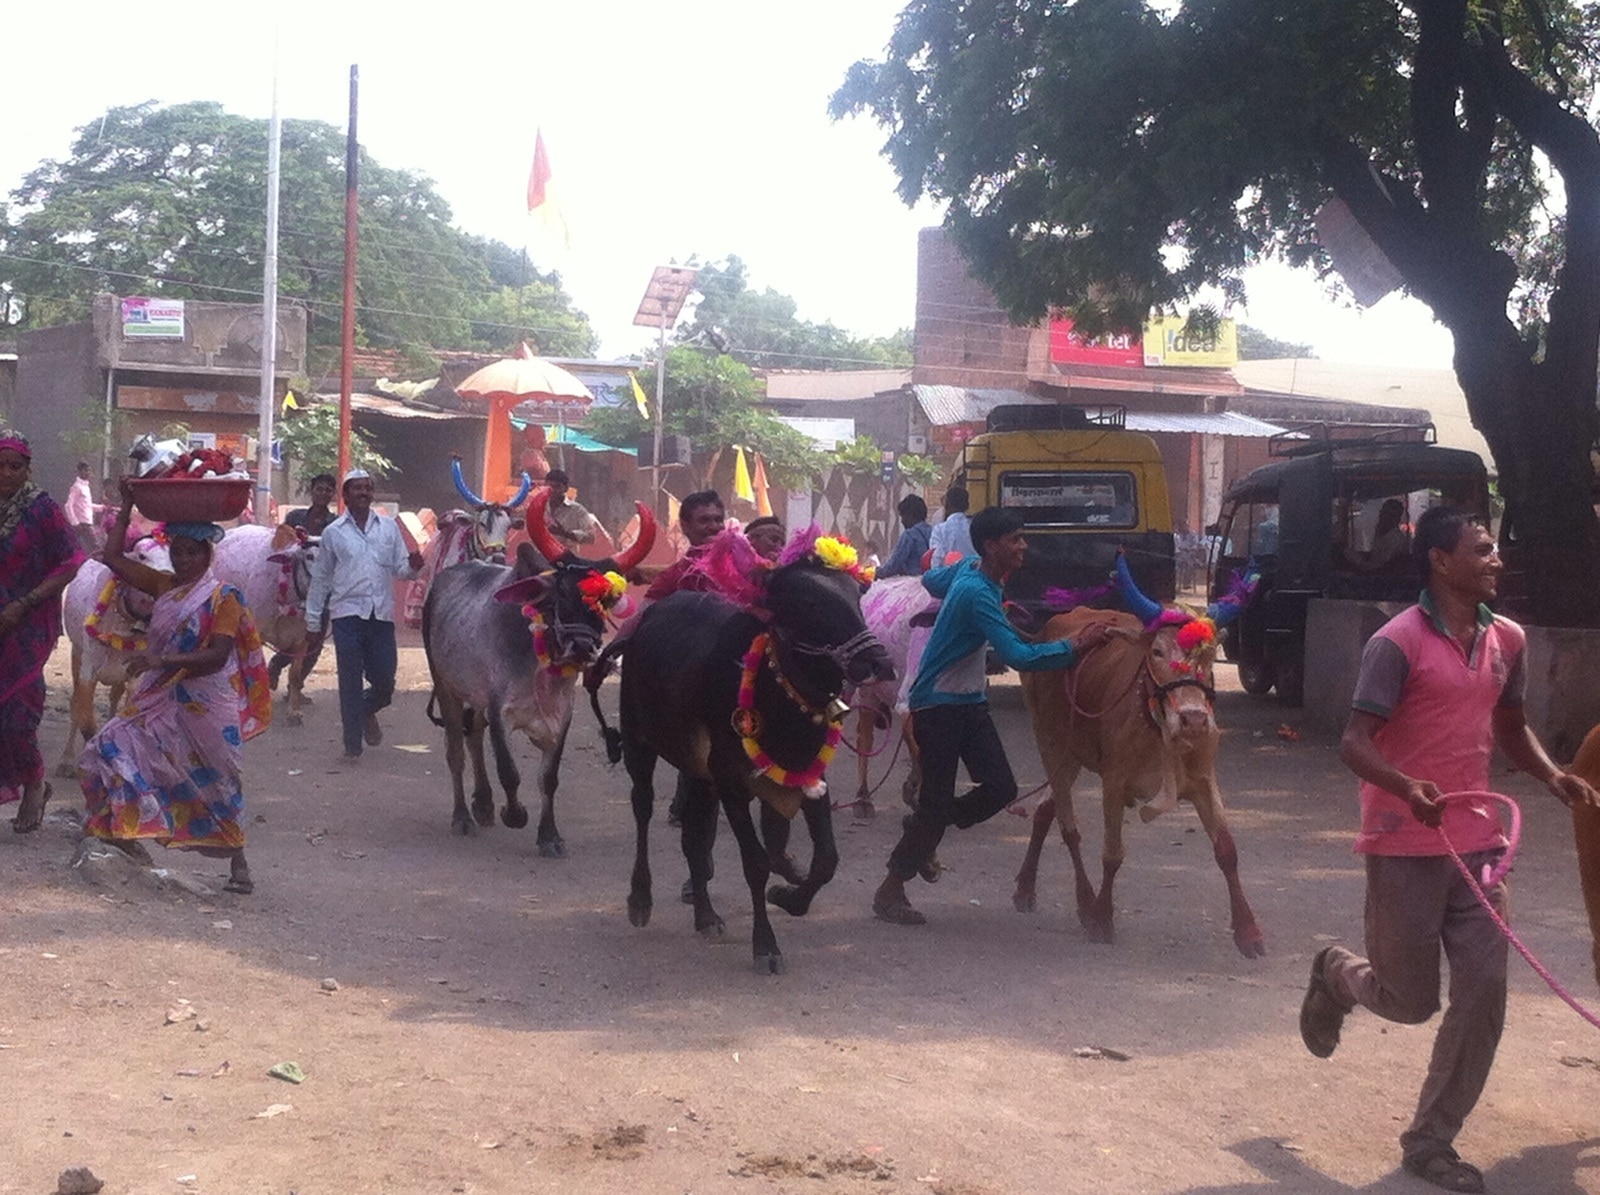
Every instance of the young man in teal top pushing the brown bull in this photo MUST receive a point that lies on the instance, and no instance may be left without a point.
(951, 709)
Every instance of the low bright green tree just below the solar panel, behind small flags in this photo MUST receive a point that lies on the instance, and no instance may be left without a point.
(714, 401)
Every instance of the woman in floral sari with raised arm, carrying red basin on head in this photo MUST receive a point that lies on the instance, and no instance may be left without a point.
(169, 765)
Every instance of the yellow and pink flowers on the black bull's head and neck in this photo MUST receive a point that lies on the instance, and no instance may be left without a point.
(834, 553)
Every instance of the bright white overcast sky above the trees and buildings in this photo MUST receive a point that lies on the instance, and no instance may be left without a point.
(674, 130)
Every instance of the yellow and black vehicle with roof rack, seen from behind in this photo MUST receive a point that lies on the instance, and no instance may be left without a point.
(1086, 486)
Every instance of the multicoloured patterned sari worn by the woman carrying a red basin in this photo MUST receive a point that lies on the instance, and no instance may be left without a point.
(169, 765)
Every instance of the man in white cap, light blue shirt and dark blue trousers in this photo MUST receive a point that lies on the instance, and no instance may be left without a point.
(353, 580)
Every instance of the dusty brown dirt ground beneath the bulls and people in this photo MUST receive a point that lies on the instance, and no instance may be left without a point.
(500, 1028)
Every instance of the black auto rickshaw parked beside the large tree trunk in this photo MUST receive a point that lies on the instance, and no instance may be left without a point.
(1329, 521)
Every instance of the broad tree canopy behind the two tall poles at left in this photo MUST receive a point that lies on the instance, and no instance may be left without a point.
(172, 202)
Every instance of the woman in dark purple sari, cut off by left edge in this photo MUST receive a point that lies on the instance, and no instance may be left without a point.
(39, 556)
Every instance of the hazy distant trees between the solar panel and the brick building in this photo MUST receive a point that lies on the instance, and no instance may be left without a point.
(762, 329)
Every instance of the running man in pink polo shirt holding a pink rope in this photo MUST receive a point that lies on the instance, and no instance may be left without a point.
(1441, 685)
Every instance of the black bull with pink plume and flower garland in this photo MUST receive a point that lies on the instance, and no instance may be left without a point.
(681, 689)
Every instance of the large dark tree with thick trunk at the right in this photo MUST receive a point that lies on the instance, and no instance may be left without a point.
(1116, 156)
